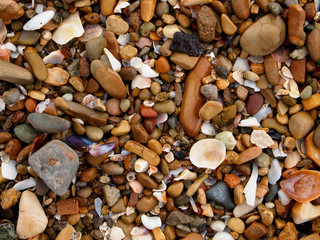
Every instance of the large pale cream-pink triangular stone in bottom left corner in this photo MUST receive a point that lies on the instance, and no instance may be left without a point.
(32, 219)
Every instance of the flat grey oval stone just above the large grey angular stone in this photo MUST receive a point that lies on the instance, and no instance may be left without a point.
(47, 123)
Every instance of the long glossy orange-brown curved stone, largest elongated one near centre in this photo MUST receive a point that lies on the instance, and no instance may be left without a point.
(192, 97)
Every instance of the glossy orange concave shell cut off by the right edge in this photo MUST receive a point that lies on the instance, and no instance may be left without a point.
(302, 186)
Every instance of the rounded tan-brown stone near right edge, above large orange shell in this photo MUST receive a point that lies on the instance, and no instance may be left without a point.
(300, 124)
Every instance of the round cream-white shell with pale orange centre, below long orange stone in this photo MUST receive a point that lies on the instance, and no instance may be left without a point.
(207, 153)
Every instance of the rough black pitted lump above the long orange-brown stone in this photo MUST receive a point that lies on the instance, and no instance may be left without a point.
(185, 43)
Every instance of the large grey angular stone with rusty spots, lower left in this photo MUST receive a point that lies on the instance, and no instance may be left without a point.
(56, 164)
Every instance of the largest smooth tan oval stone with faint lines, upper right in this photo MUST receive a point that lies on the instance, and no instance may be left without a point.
(264, 36)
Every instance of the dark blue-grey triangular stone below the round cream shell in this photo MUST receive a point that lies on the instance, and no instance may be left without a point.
(221, 194)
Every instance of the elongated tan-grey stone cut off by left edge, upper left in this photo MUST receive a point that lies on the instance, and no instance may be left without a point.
(10, 72)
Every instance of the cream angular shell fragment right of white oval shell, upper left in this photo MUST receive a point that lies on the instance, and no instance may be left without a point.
(70, 28)
